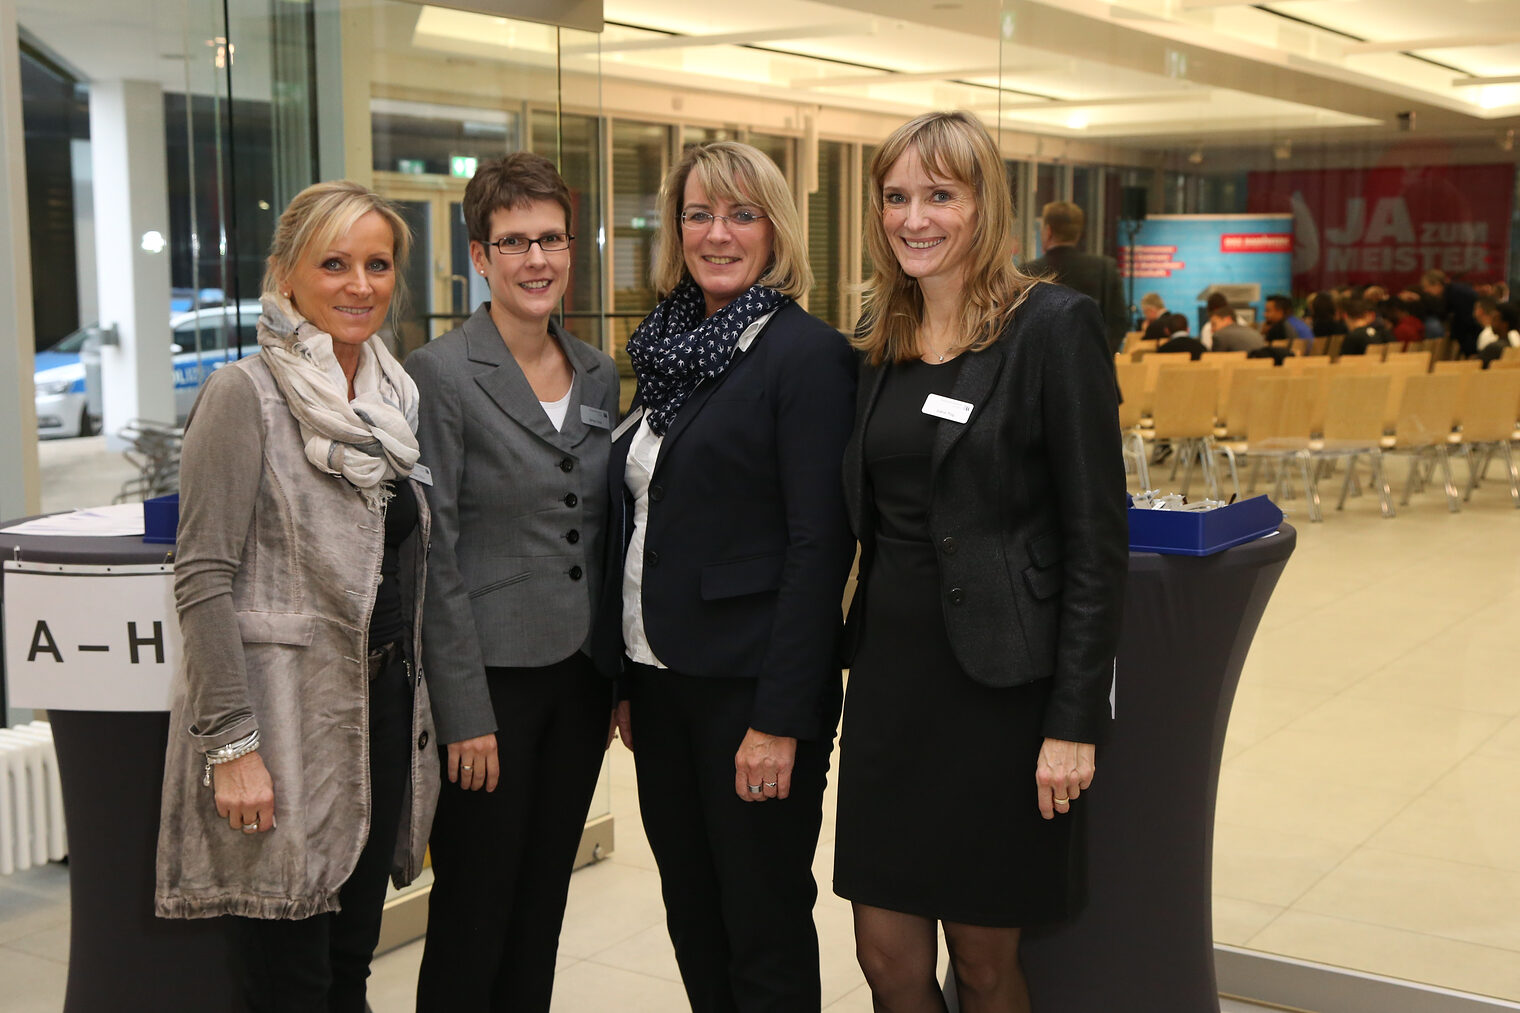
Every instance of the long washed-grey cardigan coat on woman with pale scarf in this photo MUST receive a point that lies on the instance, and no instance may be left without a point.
(276, 580)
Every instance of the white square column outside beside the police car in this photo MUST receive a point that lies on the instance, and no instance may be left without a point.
(131, 205)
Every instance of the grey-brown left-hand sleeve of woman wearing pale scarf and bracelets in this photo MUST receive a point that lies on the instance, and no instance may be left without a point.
(221, 471)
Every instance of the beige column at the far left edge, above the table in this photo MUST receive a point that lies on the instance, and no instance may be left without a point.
(21, 491)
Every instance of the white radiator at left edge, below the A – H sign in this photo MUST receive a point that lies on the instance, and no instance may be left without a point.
(31, 799)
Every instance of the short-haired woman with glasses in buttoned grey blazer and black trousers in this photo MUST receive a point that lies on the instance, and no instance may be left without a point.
(516, 431)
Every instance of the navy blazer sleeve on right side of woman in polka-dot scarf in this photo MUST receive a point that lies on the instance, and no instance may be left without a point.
(814, 416)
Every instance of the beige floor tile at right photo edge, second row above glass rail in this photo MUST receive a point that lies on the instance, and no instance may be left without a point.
(1422, 895)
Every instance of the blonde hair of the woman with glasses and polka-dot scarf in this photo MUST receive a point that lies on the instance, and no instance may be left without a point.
(743, 174)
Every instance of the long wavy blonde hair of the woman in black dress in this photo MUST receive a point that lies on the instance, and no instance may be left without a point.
(954, 147)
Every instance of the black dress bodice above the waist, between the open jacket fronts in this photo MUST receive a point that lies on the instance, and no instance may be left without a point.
(899, 442)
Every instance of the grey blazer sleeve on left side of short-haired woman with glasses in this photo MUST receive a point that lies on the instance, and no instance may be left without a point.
(451, 646)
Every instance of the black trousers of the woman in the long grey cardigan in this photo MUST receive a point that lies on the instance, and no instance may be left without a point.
(321, 964)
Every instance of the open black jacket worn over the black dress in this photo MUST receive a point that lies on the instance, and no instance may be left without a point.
(1027, 510)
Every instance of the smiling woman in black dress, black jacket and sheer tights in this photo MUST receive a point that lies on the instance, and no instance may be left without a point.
(986, 483)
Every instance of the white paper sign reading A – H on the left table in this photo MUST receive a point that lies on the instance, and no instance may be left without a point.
(90, 638)
